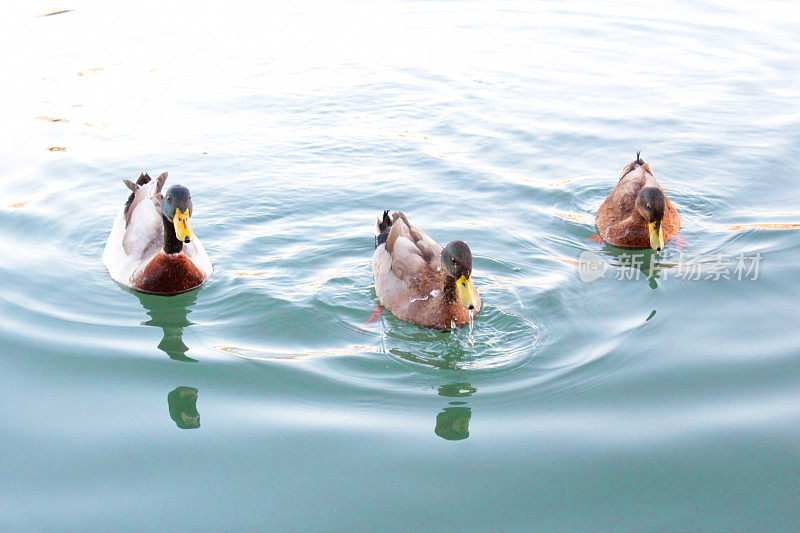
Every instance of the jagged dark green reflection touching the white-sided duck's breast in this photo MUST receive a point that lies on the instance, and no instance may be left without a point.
(170, 314)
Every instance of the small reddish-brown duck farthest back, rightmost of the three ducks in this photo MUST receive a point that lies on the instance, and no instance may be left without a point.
(637, 213)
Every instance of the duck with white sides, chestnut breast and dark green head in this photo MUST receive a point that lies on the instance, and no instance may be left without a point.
(152, 247)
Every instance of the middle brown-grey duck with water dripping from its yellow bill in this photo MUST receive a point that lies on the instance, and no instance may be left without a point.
(419, 281)
